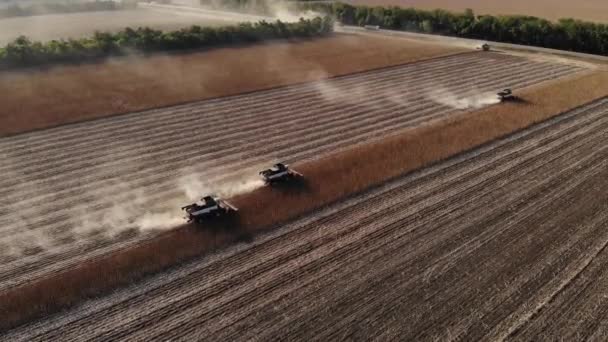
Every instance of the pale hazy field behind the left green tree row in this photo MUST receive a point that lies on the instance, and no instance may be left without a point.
(76, 25)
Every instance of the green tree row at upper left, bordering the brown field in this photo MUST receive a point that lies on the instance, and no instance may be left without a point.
(23, 52)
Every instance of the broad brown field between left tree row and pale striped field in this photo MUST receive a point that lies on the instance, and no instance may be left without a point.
(39, 99)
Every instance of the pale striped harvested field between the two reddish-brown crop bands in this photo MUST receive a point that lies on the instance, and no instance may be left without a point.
(148, 150)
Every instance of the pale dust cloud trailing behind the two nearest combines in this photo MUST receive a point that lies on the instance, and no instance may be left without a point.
(114, 209)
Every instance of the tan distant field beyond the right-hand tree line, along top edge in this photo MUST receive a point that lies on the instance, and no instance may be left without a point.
(593, 10)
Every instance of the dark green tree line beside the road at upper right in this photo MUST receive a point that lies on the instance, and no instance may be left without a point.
(565, 34)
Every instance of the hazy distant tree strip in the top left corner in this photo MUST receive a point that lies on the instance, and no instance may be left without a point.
(65, 7)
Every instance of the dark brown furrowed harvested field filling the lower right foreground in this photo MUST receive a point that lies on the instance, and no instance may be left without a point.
(491, 244)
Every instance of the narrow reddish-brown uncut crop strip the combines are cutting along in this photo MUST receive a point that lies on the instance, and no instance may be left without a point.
(328, 179)
